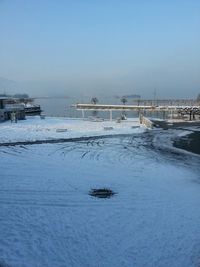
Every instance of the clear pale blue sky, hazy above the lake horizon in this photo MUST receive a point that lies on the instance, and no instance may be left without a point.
(102, 47)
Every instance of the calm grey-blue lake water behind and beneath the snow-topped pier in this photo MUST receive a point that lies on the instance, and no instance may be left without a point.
(62, 107)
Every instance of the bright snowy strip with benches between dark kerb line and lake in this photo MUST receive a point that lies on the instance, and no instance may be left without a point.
(34, 128)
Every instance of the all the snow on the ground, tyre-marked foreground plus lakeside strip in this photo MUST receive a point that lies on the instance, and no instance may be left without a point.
(48, 219)
